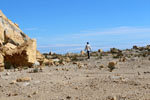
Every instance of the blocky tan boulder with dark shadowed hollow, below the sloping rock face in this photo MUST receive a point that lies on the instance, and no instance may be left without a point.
(23, 55)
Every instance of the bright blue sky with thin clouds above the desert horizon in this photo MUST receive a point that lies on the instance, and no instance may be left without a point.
(63, 26)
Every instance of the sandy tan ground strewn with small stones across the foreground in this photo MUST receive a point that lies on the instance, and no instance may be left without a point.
(130, 80)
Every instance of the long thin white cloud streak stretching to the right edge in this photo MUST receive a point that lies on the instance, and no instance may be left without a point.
(114, 31)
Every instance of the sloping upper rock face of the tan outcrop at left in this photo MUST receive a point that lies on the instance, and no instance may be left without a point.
(10, 32)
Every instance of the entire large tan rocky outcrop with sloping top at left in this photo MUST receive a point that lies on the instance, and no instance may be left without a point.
(16, 48)
